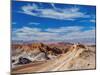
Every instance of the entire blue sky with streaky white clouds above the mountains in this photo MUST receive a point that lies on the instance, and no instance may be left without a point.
(50, 21)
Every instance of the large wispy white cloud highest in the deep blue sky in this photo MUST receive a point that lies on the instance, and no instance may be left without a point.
(55, 13)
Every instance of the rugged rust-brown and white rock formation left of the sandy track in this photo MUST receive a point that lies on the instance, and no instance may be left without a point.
(24, 54)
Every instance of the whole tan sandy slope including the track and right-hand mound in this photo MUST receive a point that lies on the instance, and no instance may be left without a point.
(72, 60)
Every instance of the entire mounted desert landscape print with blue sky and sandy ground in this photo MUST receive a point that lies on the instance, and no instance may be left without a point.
(49, 37)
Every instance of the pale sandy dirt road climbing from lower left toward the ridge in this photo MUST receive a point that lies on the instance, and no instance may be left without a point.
(50, 65)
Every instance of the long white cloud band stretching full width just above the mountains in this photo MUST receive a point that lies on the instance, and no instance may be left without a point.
(67, 33)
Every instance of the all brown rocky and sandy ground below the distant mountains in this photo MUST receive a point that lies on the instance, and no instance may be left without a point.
(40, 57)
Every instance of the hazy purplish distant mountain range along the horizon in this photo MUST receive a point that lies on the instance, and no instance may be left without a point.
(83, 41)
